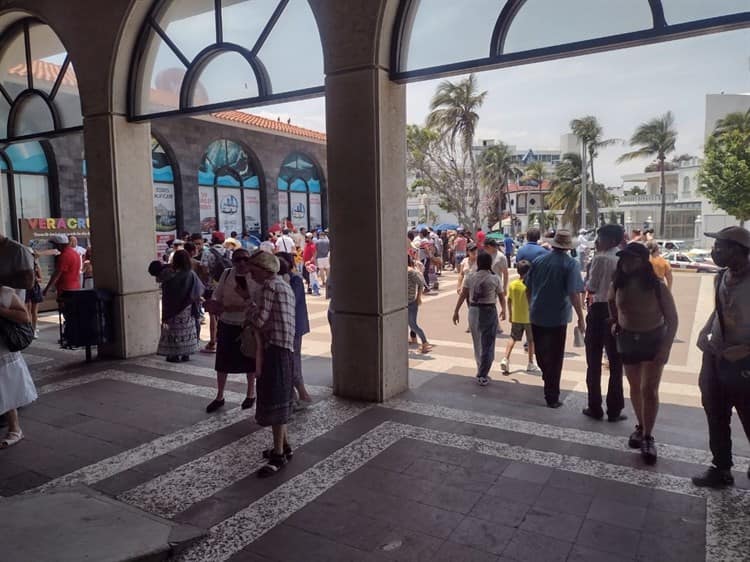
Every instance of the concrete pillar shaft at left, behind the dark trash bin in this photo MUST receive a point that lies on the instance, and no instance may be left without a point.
(121, 210)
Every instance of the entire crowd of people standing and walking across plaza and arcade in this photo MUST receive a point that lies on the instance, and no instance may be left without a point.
(255, 300)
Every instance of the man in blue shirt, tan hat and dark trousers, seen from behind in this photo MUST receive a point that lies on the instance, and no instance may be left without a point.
(554, 286)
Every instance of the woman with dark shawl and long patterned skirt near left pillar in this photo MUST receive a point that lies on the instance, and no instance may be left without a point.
(181, 294)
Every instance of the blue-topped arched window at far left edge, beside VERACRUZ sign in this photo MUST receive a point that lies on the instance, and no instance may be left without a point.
(26, 191)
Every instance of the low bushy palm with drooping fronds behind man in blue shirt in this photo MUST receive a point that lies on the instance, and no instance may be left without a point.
(567, 187)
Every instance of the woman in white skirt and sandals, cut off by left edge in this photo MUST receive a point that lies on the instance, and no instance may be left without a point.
(16, 385)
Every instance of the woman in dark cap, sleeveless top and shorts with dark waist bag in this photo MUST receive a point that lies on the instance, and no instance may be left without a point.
(644, 324)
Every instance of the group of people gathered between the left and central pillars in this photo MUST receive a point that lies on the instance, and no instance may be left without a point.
(255, 299)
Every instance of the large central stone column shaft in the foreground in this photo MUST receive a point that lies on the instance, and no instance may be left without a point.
(367, 212)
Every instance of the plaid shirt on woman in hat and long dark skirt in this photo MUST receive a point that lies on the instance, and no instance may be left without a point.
(275, 313)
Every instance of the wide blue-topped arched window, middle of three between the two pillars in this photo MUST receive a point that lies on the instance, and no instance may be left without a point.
(229, 190)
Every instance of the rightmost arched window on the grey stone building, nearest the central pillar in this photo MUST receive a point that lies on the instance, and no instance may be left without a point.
(300, 196)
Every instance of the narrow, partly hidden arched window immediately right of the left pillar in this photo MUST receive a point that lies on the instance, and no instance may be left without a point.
(165, 208)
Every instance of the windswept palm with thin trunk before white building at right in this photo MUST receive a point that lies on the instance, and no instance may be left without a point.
(655, 138)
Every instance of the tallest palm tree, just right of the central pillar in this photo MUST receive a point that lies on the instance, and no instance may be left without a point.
(454, 112)
